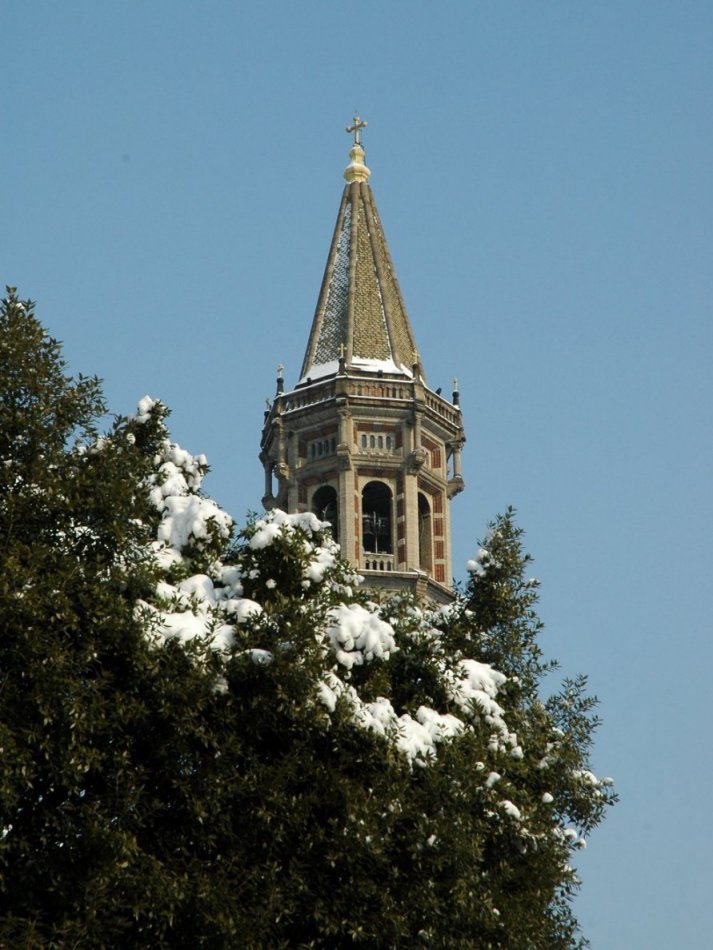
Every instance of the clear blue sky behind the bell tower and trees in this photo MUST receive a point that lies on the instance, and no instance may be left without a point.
(170, 175)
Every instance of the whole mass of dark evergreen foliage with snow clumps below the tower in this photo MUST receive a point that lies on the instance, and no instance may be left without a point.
(216, 740)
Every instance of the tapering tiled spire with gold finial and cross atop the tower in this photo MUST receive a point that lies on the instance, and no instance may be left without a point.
(360, 315)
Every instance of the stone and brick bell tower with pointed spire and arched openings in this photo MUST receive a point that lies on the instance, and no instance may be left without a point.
(361, 440)
